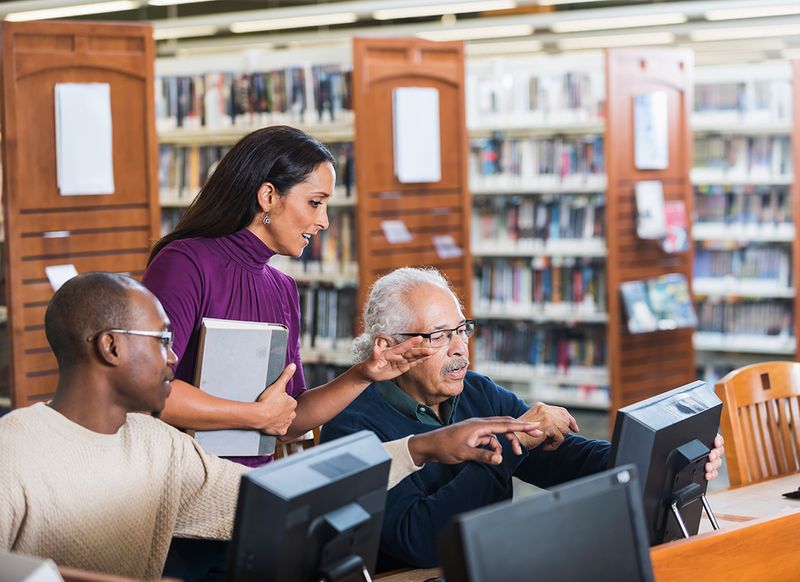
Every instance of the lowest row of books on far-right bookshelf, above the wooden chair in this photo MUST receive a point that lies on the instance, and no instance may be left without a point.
(771, 317)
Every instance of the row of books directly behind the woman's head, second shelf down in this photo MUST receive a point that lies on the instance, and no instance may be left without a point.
(183, 170)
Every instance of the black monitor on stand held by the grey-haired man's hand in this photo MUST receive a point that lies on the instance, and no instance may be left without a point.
(668, 437)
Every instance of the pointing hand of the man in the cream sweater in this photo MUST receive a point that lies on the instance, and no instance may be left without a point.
(461, 441)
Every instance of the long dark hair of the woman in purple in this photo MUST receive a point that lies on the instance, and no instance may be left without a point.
(281, 155)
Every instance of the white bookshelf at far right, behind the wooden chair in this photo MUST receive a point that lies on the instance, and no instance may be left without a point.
(744, 231)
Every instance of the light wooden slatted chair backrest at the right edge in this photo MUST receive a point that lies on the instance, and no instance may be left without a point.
(761, 421)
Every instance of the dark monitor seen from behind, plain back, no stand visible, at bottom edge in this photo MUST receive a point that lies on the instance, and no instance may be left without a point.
(589, 529)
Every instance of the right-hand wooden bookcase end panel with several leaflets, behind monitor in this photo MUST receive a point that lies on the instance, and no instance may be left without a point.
(646, 364)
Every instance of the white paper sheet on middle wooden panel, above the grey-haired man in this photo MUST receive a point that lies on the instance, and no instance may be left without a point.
(417, 155)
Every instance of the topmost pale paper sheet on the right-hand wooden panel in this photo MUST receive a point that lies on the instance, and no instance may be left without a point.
(650, 131)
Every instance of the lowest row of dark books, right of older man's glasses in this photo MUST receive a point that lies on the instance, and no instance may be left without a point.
(527, 343)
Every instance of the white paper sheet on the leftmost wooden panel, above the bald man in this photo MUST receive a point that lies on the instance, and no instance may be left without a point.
(84, 151)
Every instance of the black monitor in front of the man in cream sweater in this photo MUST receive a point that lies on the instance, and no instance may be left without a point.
(315, 515)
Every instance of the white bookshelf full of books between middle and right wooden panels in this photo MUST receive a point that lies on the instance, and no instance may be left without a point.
(538, 179)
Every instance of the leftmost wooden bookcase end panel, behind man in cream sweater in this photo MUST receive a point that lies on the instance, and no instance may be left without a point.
(102, 233)
